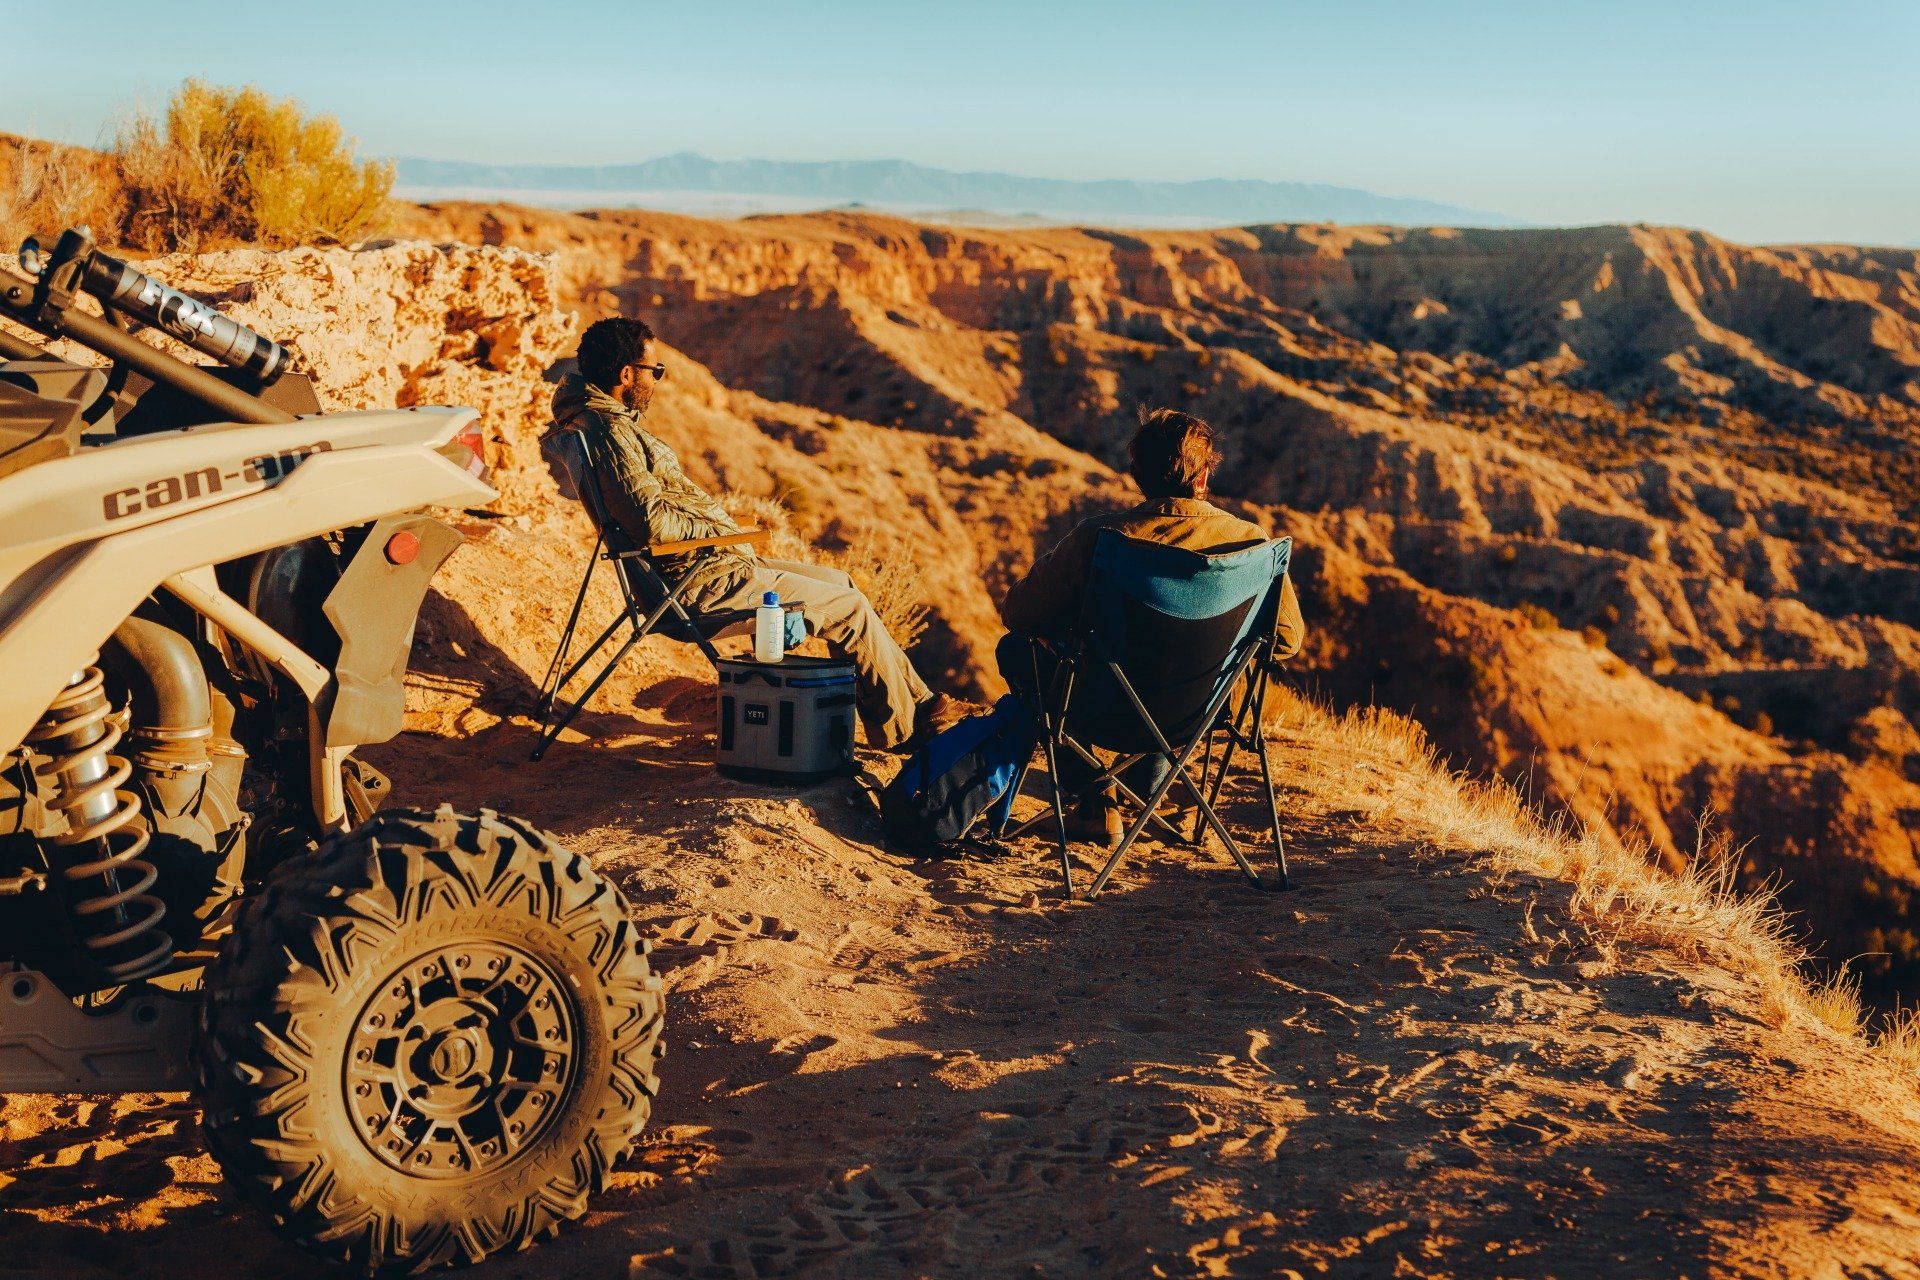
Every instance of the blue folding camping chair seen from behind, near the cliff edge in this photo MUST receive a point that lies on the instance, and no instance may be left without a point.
(1170, 661)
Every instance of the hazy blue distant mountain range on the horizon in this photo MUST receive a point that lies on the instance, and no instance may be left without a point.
(696, 183)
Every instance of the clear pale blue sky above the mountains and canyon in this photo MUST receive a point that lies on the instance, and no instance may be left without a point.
(1758, 120)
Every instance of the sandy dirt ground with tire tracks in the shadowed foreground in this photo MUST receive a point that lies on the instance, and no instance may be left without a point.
(890, 1068)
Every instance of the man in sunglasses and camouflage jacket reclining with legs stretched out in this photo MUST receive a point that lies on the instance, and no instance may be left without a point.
(642, 486)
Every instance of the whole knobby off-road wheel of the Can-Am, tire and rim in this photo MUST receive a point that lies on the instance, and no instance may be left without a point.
(427, 966)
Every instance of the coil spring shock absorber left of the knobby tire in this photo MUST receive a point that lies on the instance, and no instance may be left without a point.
(105, 880)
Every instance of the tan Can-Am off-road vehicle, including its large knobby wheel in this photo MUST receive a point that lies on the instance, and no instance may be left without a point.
(418, 1037)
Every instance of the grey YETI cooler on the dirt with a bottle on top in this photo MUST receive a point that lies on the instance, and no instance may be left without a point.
(786, 723)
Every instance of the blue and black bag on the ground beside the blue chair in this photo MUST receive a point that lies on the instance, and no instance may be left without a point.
(955, 778)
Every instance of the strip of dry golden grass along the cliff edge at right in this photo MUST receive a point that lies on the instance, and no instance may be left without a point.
(1702, 914)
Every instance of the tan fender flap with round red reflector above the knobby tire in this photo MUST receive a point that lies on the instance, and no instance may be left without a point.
(373, 609)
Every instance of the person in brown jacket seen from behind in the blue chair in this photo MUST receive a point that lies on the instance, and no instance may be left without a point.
(1172, 460)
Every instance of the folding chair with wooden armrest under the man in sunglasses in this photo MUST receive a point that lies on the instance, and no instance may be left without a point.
(650, 605)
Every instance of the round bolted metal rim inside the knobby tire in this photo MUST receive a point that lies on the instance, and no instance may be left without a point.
(462, 1060)
